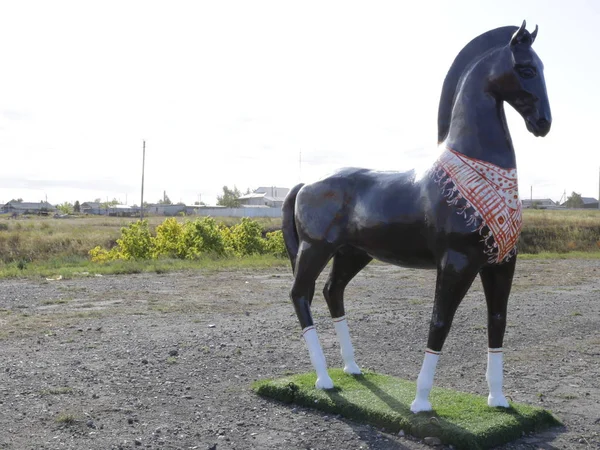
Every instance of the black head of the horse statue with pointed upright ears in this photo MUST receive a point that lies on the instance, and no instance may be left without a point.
(518, 78)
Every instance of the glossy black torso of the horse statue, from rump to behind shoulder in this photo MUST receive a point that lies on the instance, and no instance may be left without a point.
(381, 213)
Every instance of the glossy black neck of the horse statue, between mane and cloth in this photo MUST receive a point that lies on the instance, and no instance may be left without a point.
(478, 127)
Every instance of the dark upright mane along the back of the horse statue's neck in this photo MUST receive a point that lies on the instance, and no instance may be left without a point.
(483, 43)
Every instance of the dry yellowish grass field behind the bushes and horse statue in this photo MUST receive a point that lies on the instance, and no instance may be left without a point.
(45, 239)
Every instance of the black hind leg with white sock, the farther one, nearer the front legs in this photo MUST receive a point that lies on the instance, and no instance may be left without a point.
(346, 264)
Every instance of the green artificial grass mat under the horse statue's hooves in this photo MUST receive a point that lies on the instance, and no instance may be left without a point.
(459, 419)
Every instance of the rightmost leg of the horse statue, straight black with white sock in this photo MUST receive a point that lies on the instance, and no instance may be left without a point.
(496, 281)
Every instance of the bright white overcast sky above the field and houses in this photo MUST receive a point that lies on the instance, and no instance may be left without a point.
(230, 93)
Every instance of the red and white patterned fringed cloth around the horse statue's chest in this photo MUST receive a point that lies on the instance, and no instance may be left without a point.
(489, 197)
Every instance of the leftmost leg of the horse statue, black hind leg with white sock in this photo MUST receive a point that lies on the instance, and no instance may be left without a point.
(310, 261)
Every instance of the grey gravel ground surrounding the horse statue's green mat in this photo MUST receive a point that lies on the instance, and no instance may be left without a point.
(166, 360)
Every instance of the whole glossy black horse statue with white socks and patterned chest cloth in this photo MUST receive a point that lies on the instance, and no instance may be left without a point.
(462, 217)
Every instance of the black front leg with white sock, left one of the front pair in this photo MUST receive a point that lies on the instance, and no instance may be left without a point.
(454, 278)
